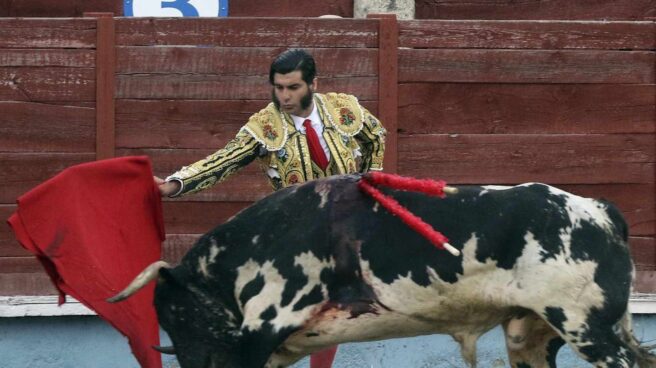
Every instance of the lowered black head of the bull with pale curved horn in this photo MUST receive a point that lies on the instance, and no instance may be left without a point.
(204, 333)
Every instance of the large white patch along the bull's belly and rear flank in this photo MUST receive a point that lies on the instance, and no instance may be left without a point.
(483, 296)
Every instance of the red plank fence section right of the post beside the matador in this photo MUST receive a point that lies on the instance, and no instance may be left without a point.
(566, 103)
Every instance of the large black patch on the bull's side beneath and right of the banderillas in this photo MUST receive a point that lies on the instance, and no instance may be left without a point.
(498, 219)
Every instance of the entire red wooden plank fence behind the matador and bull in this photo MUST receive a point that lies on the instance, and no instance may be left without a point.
(503, 102)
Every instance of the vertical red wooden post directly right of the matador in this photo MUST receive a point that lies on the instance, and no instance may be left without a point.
(388, 86)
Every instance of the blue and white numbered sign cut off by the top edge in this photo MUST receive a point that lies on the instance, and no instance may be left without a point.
(175, 8)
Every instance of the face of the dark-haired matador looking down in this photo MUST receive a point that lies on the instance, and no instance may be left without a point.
(292, 94)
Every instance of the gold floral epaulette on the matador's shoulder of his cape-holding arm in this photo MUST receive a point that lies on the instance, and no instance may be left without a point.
(268, 127)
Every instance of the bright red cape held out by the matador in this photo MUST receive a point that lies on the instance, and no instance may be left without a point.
(94, 227)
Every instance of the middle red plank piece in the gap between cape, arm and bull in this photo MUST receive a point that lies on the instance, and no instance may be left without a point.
(198, 217)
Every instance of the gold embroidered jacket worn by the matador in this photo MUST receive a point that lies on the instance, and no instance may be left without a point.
(355, 138)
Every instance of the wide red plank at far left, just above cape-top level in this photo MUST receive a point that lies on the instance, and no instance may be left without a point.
(38, 127)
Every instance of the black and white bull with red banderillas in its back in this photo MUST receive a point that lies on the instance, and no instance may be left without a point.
(322, 263)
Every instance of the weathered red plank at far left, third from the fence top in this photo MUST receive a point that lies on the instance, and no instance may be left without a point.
(47, 84)
